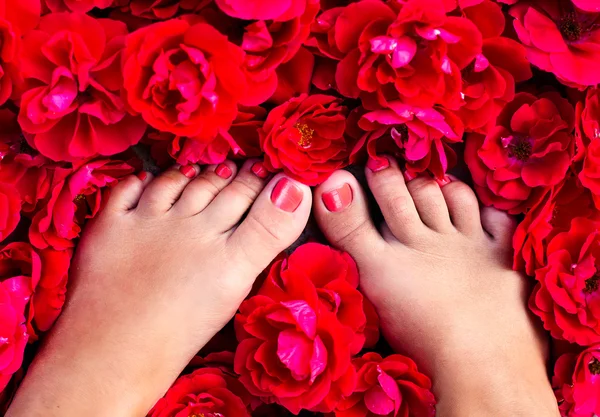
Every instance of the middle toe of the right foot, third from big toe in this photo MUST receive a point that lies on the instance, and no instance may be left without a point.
(430, 203)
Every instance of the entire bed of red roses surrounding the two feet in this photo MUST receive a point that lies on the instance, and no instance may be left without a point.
(94, 90)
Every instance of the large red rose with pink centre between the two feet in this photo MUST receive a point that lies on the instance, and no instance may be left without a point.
(298, 333)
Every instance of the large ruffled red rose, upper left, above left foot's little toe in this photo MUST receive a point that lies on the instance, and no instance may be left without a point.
(72, 107)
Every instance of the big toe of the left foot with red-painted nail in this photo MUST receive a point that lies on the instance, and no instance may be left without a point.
(275, 221)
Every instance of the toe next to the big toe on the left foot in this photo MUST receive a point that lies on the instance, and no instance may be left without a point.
(230, 205)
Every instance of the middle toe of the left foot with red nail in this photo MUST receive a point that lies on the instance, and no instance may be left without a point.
(203, 189)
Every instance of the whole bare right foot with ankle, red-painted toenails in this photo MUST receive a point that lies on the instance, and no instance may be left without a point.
(438, 272)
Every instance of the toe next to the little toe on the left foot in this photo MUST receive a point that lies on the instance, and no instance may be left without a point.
(160, 195)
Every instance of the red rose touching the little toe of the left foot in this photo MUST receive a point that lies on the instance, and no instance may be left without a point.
(73, 198)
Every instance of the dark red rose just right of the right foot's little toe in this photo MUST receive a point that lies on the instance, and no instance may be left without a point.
(551, 215)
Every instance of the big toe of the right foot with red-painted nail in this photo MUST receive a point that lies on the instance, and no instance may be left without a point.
(341, 210)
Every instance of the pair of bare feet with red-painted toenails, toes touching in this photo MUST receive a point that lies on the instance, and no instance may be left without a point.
(169, 260)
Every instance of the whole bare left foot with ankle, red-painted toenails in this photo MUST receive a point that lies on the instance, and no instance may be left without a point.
(162, 269)
